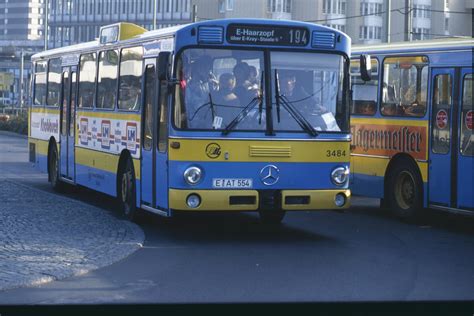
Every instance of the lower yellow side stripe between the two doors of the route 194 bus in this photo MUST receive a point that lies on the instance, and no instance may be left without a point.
(102, 161)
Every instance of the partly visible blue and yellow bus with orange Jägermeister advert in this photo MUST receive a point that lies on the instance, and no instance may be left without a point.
(412, 143)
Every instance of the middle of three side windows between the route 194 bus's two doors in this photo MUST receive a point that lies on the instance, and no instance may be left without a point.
(107, 79)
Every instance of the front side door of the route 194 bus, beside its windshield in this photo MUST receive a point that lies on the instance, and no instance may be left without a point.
(154, 168)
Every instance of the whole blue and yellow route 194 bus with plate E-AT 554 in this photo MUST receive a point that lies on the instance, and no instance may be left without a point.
(222, 115)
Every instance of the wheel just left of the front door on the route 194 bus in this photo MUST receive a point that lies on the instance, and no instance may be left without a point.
(127, 192)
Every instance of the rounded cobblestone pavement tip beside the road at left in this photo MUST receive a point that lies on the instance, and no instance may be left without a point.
(46, 237)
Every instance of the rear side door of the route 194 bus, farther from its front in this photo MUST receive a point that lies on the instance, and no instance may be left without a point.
(68, 95)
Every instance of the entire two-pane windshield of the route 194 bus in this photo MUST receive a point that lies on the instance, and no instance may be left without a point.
(223, 89)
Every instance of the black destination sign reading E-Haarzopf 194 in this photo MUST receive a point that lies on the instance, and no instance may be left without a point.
(267, 35)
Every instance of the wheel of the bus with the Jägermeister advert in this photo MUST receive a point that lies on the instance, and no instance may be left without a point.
(405, 192)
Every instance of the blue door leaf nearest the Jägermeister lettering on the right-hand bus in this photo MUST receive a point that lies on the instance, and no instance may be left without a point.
(443, 186)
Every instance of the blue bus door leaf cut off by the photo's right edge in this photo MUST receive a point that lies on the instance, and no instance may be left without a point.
(465, 181)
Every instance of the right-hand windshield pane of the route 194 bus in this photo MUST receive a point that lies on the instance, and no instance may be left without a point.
(308, 85)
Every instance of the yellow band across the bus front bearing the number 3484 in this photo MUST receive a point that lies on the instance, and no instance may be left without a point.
(258, 150)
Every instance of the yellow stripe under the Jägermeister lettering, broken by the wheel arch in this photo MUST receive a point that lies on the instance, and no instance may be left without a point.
(377, 166)
